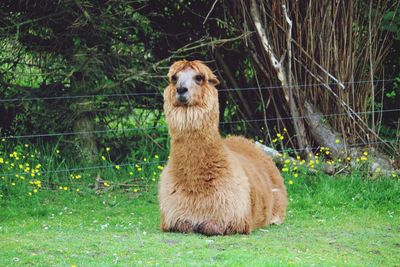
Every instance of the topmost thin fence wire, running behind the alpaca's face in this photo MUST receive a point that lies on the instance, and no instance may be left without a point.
(18, 99)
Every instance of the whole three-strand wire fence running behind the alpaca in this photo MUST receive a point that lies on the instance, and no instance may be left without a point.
(164, 127)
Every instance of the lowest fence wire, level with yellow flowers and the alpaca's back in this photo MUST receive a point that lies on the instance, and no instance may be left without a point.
(133, 164)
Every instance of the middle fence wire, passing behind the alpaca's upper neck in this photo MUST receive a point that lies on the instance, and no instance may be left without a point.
(165, 127)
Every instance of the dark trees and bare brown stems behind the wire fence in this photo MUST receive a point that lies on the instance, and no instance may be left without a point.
(117, 54)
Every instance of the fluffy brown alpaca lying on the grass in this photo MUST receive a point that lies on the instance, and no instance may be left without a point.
(211, 185)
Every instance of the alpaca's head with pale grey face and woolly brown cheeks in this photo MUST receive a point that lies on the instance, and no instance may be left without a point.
(191, 99)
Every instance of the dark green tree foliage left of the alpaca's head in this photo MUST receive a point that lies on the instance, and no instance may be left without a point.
(67, 48)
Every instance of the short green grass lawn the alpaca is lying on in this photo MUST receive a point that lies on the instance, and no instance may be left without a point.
(330, 221)
